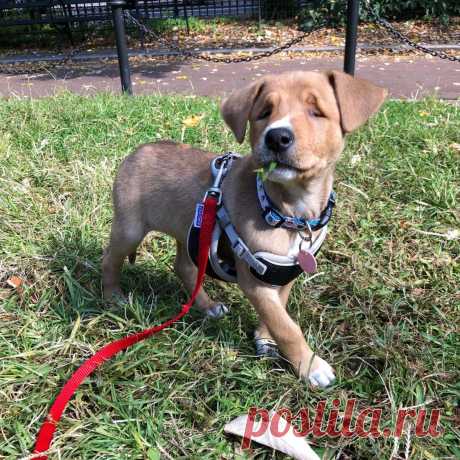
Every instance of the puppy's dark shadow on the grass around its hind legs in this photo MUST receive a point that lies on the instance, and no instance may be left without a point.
(153, 291)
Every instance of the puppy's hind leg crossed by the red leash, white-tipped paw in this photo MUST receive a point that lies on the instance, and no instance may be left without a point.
(187, 272)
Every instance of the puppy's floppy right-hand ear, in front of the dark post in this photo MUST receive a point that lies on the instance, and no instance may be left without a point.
(357, 99)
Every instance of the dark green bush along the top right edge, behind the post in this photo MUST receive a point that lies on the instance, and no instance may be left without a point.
(334, 11)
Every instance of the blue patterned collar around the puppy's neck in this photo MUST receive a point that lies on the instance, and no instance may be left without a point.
(274, 217)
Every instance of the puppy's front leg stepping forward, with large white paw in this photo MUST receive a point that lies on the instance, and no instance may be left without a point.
(270, 304)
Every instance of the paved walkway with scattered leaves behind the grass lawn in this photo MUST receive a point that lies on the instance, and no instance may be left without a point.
(406, 77)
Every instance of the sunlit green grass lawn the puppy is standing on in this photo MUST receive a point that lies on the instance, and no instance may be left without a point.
(383, 309)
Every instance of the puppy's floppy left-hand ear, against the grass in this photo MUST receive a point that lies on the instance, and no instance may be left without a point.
(236, 108)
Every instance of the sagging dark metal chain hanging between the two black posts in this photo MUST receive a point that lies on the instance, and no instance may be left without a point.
(227, 60)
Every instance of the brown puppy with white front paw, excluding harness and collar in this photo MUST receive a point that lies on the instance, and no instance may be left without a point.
(158, 185)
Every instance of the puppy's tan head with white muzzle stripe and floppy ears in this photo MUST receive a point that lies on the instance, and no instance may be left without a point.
(299, 119)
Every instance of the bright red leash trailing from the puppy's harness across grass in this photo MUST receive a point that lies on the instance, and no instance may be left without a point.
(45, 435)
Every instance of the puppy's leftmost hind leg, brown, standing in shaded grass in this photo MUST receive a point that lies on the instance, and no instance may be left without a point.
(123, 243)
